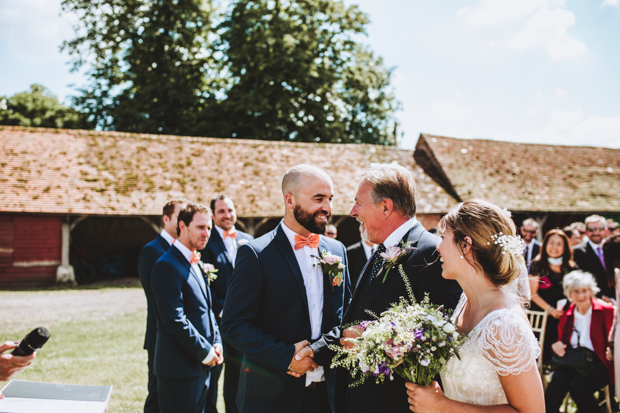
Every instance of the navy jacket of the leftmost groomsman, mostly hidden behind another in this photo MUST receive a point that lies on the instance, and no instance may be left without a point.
(149, 255)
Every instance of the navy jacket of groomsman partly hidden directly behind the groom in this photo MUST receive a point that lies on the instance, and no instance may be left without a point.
(216, 253)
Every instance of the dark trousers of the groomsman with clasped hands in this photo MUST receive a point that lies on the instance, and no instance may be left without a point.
(183, 395)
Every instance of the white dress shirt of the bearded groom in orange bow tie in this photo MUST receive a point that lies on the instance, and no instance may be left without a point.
(313, 281)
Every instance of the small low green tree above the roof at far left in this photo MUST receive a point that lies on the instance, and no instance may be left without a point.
(39, 107)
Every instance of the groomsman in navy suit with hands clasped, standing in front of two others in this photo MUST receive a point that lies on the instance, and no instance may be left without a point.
(188, 339)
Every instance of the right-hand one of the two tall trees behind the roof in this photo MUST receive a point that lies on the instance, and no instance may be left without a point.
(297, 73)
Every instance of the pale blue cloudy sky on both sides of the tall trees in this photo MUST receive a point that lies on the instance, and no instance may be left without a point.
(541, 71)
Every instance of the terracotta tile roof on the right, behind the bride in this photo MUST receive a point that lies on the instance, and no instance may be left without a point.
(524, 177)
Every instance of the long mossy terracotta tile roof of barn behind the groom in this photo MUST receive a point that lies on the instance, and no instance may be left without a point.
(113, 173)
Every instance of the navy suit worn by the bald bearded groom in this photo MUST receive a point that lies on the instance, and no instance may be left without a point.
(266, 313)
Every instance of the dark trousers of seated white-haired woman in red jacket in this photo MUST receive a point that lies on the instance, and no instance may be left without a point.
(581, 388)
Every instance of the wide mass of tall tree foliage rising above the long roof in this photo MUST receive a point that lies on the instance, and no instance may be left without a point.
(274, 70)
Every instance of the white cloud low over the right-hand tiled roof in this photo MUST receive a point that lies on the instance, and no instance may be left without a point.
(570, 128)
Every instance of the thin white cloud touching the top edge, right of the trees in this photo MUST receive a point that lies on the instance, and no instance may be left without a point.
(496, 12)
